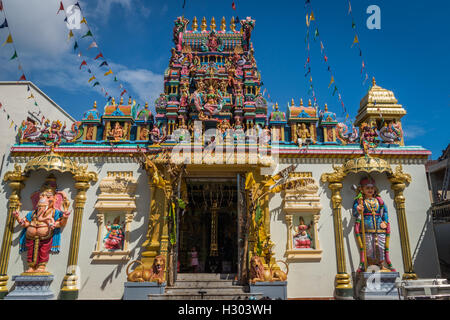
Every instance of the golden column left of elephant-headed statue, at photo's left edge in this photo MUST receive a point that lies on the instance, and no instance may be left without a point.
(16, 182)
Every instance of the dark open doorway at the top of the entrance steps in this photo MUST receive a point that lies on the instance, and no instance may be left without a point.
(208, 228)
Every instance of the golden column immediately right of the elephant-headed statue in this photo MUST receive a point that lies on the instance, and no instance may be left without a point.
(82, 178)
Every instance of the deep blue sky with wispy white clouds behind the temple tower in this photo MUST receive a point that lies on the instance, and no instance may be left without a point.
(408, 55)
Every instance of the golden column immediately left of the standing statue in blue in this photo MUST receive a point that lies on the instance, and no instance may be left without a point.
(343, 286)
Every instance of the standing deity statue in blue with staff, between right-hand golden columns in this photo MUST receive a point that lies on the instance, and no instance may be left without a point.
(372, 227)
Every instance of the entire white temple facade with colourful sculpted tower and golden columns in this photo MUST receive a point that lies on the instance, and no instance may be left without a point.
(216, 172)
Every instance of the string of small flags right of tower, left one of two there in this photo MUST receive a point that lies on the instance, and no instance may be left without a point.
(310, 19)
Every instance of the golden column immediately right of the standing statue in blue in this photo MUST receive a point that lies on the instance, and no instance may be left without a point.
(398, 183)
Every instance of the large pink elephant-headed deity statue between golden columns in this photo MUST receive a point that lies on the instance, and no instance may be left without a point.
(42, 226)
